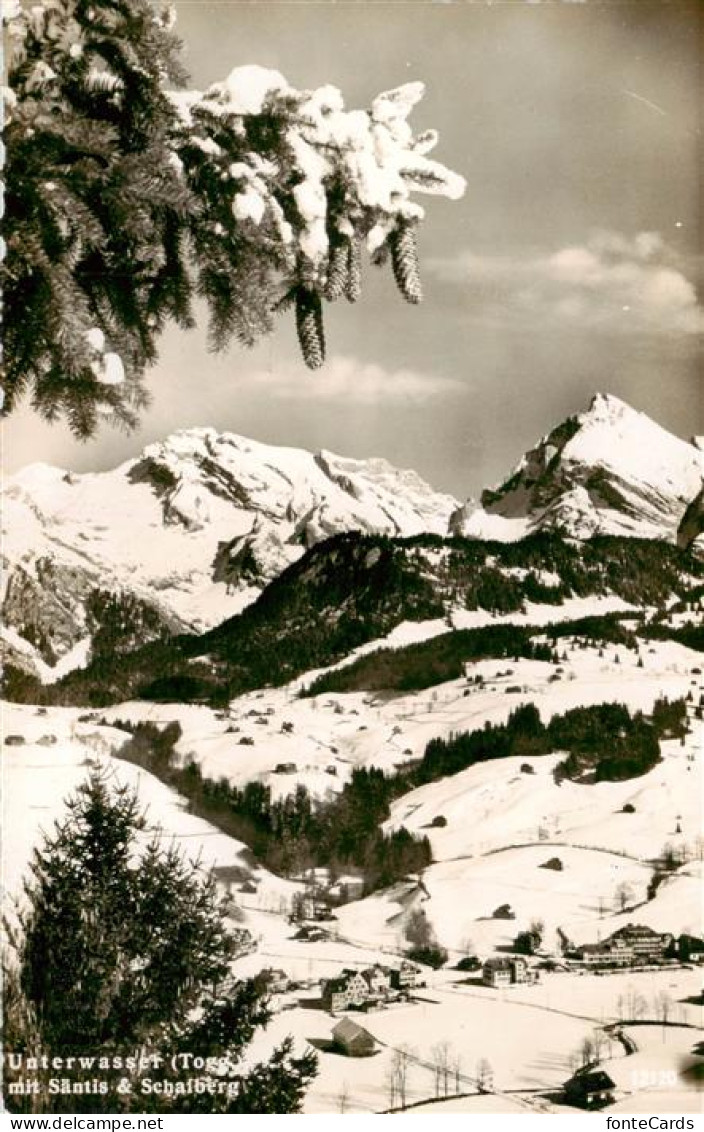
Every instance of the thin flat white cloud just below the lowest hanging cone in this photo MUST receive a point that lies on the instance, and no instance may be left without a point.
(348, 382)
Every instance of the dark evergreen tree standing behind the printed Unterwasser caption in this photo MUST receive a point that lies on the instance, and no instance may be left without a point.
(119, 949)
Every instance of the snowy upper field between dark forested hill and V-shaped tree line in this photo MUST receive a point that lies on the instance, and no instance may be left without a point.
(327, 736)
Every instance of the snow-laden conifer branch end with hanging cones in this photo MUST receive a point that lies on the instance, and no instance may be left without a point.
(314, 181)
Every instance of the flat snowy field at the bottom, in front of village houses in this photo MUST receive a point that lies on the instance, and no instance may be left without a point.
(529, 1036)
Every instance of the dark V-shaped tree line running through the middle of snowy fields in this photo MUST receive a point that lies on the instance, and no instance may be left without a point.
(295, 833)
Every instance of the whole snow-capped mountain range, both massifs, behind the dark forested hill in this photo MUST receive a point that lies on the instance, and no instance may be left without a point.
(198, 527)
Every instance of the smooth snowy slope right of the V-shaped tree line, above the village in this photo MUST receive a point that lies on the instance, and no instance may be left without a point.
(503, 828)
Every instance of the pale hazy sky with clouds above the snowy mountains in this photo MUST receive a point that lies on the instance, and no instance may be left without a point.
(572, 265)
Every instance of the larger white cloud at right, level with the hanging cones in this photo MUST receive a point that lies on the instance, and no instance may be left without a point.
(621, 285)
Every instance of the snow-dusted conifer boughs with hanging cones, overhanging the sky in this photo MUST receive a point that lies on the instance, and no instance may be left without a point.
(127, 198)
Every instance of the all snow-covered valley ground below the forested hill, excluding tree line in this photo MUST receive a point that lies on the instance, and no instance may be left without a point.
(503, 825)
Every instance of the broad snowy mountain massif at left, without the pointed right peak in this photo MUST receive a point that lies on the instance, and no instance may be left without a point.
(190, 533)
